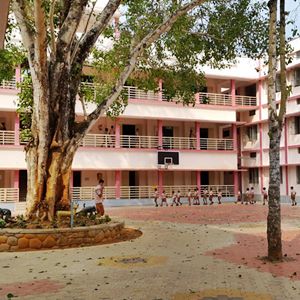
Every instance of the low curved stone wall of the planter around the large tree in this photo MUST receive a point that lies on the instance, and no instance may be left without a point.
(37, 239)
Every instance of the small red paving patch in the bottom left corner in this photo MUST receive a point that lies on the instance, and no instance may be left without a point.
(35, 287)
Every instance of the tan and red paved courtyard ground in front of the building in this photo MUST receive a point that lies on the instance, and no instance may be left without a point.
(212, 252)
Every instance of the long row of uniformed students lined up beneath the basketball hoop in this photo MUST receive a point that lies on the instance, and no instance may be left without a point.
(192, 196)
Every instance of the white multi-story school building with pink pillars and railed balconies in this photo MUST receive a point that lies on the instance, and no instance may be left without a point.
(220, 142)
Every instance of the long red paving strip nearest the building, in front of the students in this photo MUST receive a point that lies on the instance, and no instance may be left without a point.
(215, 214)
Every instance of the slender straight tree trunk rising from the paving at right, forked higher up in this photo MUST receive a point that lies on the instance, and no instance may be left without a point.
(276, 122)
